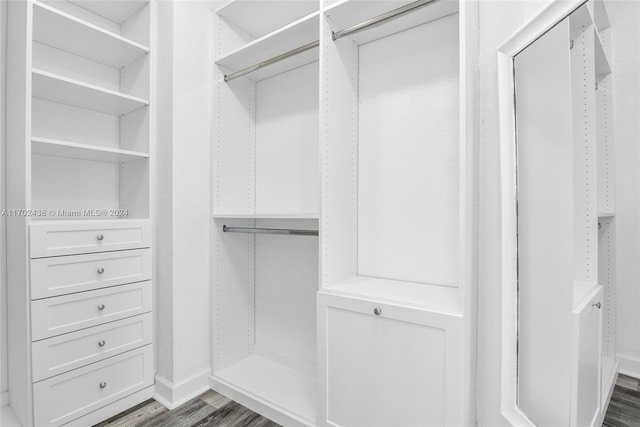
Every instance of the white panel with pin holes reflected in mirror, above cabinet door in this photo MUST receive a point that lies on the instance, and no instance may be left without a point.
(585, 159)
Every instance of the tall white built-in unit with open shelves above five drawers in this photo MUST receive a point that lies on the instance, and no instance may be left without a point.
(79, 225)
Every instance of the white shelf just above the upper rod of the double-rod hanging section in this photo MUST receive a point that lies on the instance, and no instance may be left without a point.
(294, 35)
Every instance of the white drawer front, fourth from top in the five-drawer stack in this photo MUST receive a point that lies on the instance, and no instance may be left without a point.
(63, 353)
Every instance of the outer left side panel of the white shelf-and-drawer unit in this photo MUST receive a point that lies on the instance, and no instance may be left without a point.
(18, 172)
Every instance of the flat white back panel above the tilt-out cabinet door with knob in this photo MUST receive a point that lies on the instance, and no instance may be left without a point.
(408, 155)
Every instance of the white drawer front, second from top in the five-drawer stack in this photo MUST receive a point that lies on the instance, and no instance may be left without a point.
(68, 274)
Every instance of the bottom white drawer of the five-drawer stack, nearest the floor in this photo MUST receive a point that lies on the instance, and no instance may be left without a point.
(68, 396)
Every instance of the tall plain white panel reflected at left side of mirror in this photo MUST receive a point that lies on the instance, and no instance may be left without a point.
(545, 226)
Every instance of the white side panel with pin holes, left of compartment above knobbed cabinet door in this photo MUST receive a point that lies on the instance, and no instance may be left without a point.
(339, 155)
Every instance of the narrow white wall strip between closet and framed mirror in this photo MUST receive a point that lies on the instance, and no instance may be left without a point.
(498, 21)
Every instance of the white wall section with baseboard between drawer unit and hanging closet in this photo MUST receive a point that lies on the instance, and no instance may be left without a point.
(182, 201)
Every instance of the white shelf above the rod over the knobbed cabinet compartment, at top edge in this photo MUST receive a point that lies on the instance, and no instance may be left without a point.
(346, 13)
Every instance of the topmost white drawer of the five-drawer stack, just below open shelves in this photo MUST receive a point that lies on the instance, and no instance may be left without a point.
(53, 238)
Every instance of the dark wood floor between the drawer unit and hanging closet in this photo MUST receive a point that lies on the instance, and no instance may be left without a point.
(208, 409)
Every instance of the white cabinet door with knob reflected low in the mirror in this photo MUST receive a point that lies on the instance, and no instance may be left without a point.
(587, 364)
